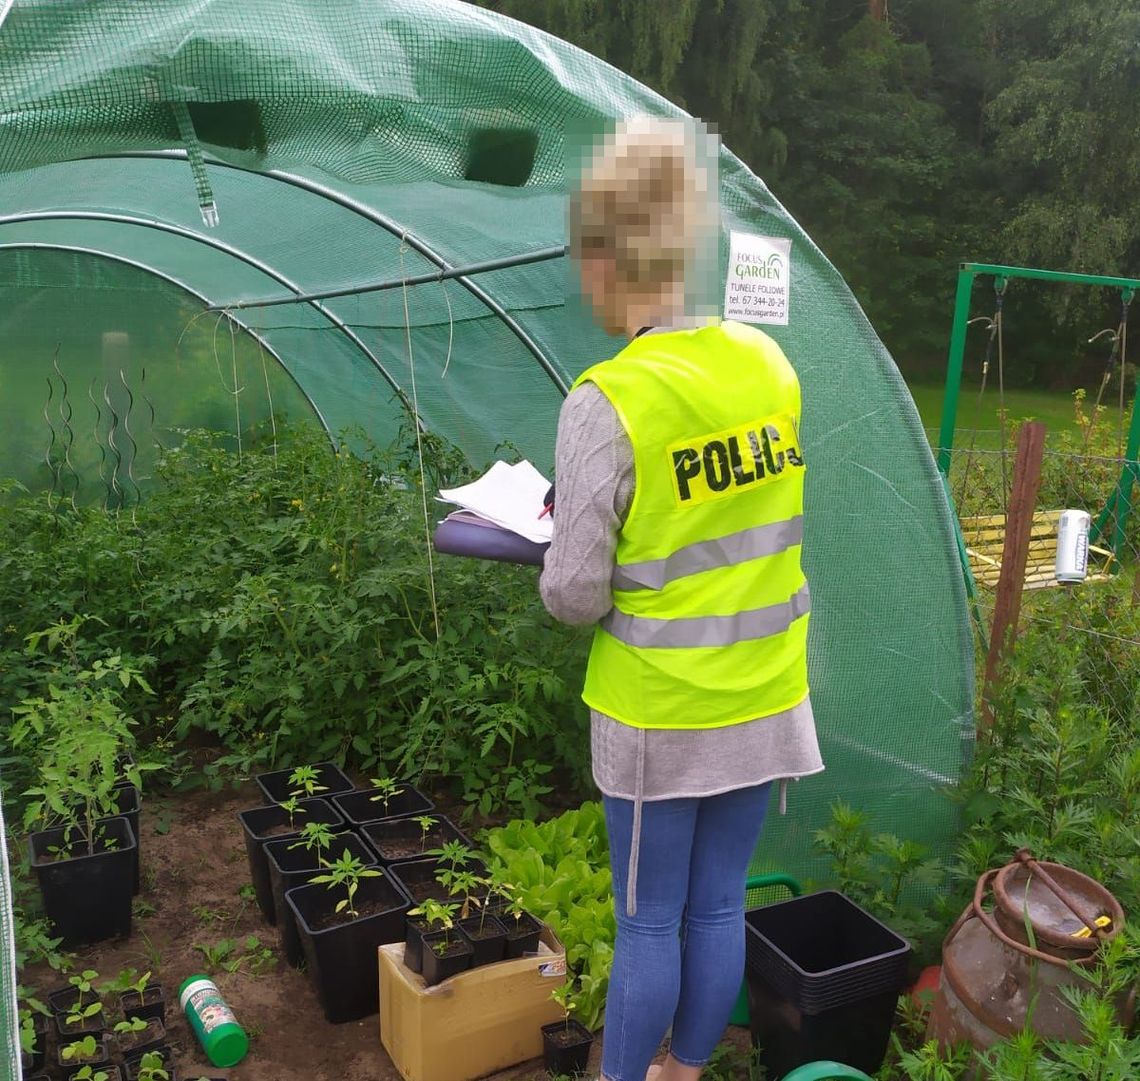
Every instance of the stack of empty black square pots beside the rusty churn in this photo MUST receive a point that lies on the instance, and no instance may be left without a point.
(826, 995)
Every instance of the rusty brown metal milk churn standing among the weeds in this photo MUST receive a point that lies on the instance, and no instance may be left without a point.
(1003, 968)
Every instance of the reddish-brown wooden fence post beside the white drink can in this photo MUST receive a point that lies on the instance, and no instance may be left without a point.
(1031, 445)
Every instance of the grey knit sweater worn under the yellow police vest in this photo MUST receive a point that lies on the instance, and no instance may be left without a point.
(595, 469)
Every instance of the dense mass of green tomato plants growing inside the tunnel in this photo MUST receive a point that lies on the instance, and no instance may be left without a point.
(281, 607)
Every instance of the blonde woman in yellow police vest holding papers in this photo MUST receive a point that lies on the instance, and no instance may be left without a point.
(678, 532)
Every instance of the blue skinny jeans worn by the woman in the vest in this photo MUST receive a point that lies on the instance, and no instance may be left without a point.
(681, 960)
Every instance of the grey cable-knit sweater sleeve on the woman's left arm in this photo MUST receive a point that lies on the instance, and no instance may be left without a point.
(595, 477)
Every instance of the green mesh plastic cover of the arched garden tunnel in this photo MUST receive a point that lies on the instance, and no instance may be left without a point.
(345, 144)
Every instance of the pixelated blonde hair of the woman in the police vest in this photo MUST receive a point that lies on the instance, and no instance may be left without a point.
(645, 202)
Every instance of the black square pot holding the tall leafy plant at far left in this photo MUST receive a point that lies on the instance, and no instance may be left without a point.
(87, 898)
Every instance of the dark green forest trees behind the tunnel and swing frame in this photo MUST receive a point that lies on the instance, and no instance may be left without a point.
(983, 131)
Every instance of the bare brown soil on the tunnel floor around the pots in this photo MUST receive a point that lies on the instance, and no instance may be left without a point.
(191, 881)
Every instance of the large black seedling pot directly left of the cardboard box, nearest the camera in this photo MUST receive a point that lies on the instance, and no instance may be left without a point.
(340, 953)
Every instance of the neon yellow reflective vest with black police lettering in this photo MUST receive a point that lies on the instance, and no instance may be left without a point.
(711, 607)
